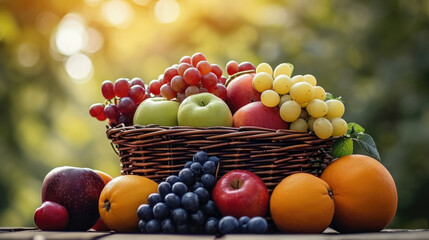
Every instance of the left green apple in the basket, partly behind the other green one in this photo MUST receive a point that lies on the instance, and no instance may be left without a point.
(157, 110)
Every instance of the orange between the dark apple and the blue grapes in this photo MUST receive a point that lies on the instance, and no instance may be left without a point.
(120, 199)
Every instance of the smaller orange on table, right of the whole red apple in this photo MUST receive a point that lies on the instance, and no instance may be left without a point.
(301, 203)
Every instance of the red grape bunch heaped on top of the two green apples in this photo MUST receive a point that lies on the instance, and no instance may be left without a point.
(194, 74)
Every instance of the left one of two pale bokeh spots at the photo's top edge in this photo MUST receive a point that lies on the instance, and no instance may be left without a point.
(118, 13)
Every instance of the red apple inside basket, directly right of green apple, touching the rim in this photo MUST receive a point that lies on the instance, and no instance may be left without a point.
(258, 115)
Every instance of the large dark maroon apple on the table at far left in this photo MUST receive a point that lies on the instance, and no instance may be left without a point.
(78, 190)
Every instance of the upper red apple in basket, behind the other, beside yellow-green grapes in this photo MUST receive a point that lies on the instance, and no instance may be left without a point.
(240, 92)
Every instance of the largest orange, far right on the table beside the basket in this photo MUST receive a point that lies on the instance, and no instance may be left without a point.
(364, 193)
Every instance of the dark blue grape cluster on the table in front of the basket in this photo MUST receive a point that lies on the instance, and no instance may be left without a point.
(183, 204)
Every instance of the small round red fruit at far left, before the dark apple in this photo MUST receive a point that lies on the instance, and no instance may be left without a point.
(51, 216)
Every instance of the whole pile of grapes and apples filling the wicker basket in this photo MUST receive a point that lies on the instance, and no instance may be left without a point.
(194, 93)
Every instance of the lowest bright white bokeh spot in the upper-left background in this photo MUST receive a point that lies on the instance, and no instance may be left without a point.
(79, 67)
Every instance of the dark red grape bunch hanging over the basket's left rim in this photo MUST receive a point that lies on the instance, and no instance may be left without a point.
(122, 99)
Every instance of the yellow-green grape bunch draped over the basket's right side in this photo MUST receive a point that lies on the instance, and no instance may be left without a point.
(302, 103)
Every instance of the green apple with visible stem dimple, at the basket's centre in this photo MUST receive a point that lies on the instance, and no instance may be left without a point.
(204, 110)
